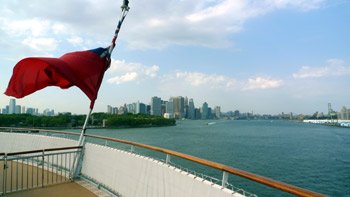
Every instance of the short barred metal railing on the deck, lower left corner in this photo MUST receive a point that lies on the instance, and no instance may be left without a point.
(24, 170)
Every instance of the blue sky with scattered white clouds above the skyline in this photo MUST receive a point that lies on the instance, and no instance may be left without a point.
(265, 56)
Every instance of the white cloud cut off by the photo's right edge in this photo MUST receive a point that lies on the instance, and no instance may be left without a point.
(334, 67)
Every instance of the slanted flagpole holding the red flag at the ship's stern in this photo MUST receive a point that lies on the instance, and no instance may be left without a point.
(77, 162)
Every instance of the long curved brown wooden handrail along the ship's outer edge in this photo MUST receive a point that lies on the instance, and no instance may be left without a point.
(226, 169)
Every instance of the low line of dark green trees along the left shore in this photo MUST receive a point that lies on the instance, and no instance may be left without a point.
(68, 120)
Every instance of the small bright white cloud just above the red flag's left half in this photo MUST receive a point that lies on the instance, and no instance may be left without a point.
(41, 44)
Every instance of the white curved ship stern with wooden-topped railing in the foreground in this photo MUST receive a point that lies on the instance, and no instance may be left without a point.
(36, 160)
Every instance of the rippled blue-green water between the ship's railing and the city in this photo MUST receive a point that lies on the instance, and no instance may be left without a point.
(314, 157)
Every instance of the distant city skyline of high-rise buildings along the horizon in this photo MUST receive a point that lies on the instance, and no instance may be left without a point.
(188, 111)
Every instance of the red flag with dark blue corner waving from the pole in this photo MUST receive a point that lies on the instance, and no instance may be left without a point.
(84, 69)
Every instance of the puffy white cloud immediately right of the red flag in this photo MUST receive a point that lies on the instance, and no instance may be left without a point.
(122, 72)
